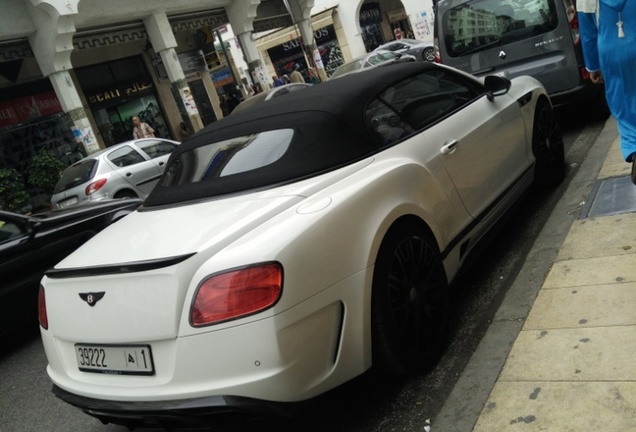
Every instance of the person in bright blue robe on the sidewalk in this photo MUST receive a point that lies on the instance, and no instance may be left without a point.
(609, 51)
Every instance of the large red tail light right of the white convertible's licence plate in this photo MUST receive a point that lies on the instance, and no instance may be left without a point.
(236, 293)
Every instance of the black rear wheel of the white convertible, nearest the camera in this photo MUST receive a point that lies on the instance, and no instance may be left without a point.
(409, 303)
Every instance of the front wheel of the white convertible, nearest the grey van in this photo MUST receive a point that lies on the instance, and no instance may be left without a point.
(547, 146)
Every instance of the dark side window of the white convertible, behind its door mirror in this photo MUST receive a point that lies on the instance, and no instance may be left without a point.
(418, 102)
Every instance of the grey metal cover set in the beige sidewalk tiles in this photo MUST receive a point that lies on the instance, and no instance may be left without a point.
(610, 196)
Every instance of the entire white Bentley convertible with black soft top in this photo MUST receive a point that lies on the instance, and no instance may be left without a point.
(290, 247)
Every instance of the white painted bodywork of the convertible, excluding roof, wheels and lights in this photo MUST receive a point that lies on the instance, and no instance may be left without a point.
(325, 231)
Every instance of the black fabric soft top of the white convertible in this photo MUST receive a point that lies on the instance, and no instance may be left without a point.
(329, 131)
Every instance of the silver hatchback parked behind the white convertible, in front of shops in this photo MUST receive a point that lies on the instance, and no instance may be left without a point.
(127, 170)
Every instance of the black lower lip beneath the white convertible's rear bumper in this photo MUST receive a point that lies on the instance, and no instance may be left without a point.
(188, 412)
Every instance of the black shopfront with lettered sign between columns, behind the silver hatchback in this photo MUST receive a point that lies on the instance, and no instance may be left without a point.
(117, 91)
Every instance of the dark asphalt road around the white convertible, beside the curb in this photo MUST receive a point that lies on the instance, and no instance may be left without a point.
(368, 403)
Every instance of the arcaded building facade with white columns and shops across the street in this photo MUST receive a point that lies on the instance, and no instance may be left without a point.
(74, 72)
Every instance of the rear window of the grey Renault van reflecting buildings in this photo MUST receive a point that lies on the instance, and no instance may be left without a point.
(482, 24)
